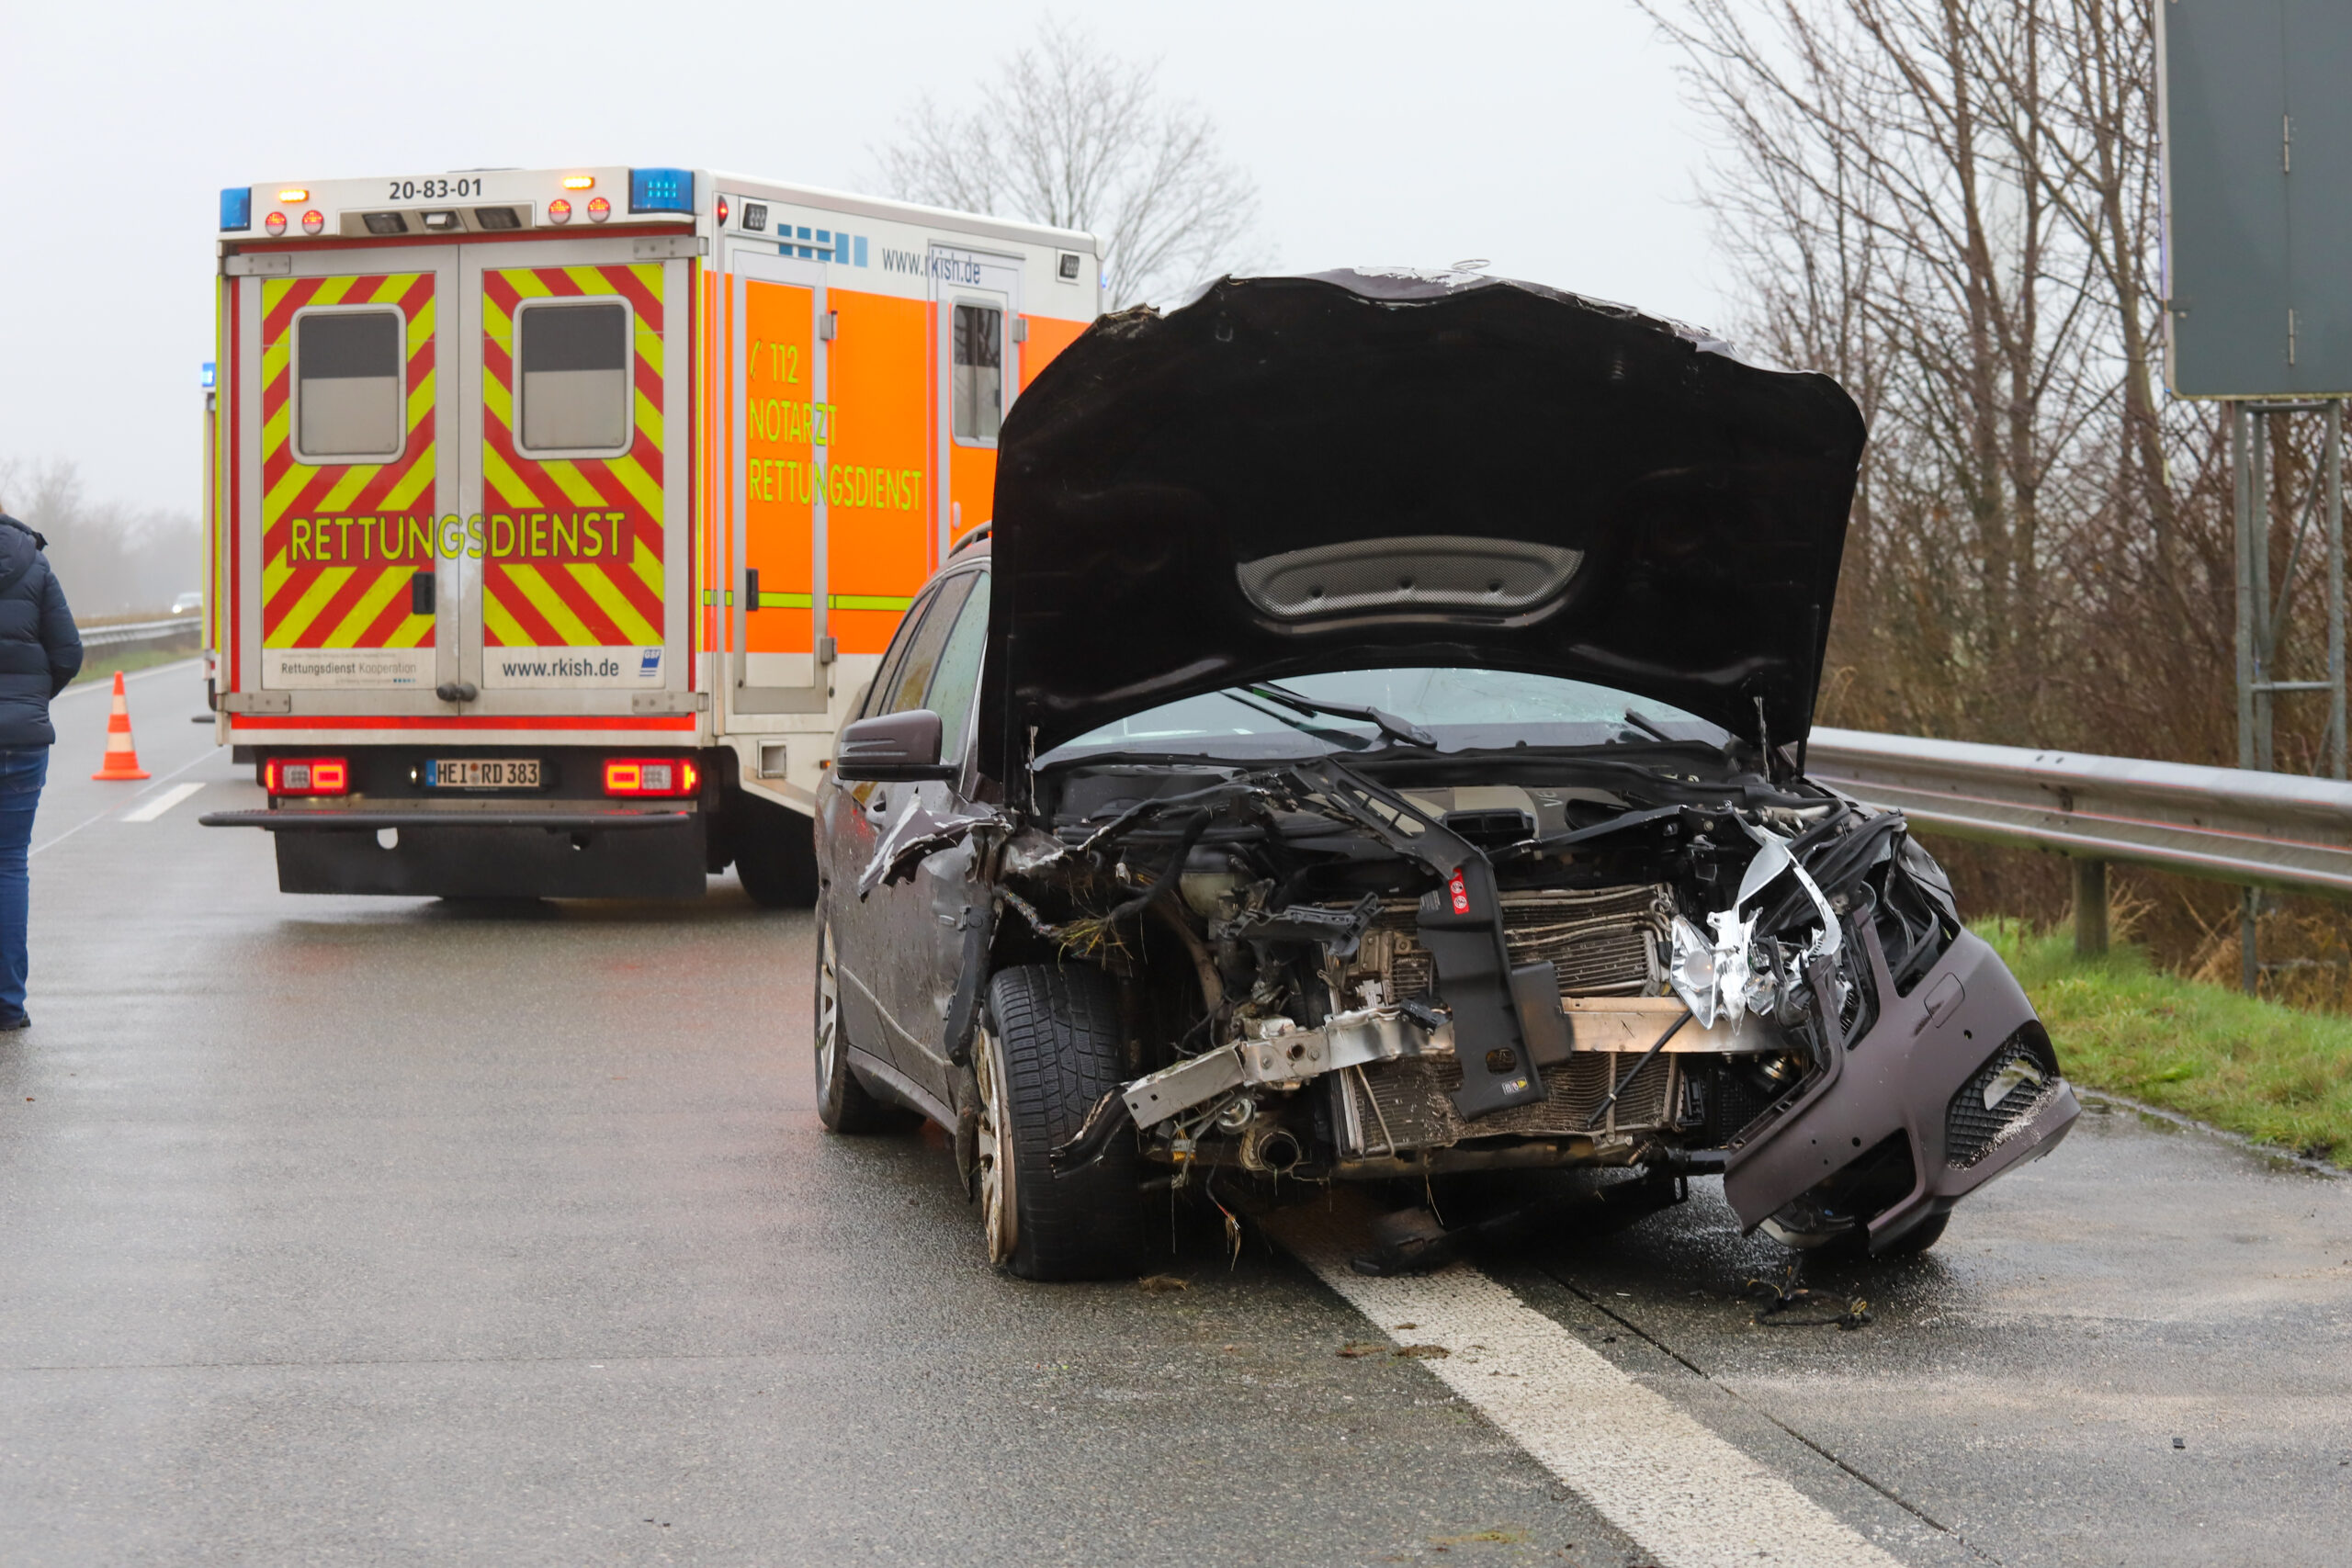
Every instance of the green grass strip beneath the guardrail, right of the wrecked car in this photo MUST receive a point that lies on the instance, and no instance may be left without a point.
(2276, 1073)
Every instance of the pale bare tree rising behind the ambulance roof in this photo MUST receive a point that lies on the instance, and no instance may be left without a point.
(1074, 138)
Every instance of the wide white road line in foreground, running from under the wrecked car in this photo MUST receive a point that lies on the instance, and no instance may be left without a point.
(1688, 1496)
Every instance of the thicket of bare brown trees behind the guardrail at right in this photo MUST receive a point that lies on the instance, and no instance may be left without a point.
(1953, 208)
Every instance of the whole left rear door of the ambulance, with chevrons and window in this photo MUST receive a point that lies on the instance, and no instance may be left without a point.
(342, 370)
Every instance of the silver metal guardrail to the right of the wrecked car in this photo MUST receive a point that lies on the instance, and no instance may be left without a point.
(2257, 831)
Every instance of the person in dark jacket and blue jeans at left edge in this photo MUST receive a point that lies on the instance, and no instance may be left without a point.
(39, 657)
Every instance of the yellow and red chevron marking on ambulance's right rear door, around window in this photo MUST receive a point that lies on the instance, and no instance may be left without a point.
(573, 554)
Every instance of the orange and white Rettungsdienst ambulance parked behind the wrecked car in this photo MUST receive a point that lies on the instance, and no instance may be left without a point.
(559, 516)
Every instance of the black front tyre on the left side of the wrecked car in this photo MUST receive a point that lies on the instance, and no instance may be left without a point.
(1057, 1036)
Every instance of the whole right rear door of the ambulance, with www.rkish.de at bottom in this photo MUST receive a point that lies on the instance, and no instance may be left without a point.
(575, 575)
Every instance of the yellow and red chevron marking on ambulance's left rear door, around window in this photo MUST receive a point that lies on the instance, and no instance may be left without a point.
(340, 542)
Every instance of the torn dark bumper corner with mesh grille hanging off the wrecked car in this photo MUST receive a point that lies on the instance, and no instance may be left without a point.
(1904, 1078)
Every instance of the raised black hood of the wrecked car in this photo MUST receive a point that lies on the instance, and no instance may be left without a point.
(1391, 469)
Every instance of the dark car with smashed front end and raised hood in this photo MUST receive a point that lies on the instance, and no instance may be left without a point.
(1370, 746)
